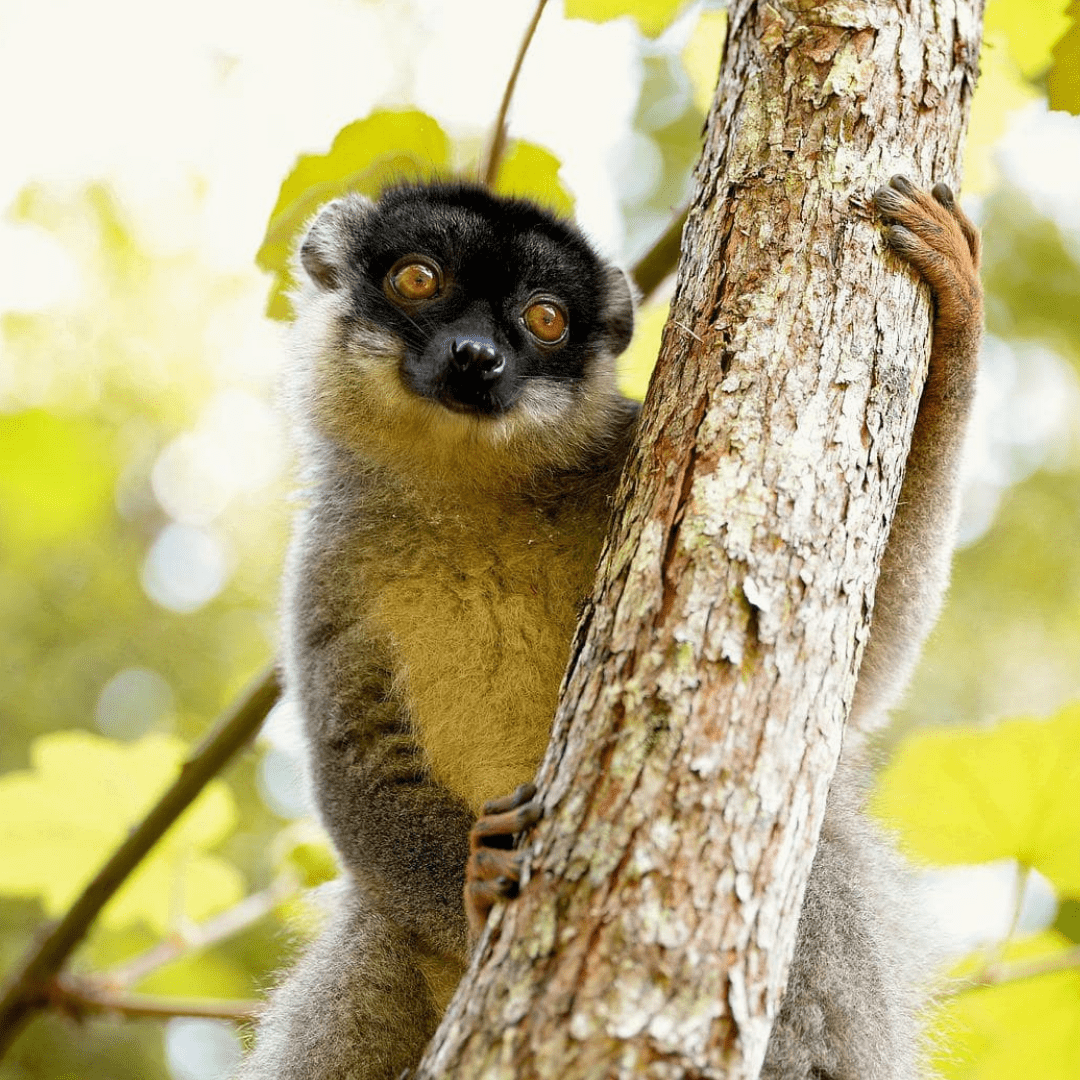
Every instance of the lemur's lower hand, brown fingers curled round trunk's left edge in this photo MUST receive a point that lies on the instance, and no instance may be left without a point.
(494, 869)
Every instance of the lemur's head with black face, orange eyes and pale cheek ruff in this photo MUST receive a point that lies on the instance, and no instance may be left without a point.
(443, 318)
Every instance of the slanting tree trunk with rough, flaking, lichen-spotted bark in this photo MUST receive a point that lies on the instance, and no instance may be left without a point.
(704, 711)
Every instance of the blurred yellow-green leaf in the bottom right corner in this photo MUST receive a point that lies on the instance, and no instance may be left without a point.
(1027, 1029)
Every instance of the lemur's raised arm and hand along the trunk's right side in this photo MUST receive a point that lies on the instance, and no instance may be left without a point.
(938, 240)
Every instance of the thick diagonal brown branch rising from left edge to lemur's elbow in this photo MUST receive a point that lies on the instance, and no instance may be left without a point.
(30, 987)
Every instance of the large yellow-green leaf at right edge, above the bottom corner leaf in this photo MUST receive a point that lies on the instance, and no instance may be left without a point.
(971, 796)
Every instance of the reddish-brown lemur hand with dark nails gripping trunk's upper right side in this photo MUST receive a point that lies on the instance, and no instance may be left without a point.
(938, 239)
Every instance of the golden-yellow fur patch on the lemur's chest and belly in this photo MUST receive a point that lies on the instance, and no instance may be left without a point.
(480, 623)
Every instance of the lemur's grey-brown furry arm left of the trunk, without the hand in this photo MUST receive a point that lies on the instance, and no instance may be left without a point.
(402, 835)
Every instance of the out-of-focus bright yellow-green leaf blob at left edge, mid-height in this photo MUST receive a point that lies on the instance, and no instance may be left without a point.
(55, 475)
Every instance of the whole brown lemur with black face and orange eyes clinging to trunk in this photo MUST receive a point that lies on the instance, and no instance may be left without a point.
(462, 435)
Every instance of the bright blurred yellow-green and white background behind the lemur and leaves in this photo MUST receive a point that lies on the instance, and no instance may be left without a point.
(144, 475)
